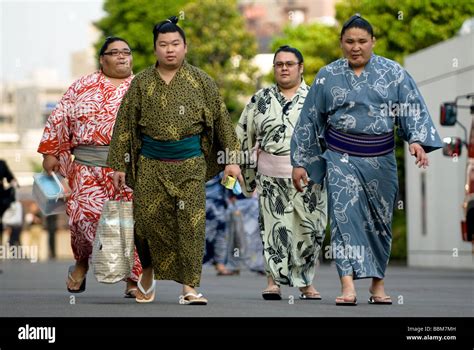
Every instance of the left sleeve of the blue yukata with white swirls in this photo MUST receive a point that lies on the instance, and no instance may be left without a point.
(307, 142)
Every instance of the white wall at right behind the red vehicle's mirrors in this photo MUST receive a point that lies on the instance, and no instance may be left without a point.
(442, 72)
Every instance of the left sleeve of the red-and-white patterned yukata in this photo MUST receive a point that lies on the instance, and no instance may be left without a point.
(56, 138)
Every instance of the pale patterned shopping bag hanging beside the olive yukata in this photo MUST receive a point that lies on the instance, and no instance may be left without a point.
(113, 248)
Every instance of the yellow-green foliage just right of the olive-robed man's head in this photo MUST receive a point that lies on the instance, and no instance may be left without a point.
(220, 45)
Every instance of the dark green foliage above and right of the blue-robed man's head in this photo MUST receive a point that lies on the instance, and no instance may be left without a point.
(402, 27)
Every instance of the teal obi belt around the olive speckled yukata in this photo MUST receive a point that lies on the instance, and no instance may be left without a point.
(186, 148)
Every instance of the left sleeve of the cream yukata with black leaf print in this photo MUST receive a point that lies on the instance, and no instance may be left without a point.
(245, 131)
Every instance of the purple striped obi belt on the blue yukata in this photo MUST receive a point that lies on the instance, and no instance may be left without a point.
(359, 145)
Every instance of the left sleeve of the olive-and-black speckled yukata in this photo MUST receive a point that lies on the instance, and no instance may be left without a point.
(122, 151)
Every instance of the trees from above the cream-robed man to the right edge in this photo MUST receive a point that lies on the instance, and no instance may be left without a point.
(401, 27)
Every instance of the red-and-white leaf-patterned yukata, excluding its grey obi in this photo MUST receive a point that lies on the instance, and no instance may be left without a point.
(86, 116)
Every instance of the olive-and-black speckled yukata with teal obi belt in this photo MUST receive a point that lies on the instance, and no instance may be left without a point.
(169, 187)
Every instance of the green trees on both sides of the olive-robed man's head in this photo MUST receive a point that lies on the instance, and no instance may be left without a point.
(215, 32)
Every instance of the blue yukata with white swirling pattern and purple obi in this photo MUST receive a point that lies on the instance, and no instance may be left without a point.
(362, 187)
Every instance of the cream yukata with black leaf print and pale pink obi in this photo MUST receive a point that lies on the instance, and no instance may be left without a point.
(292, 224)
